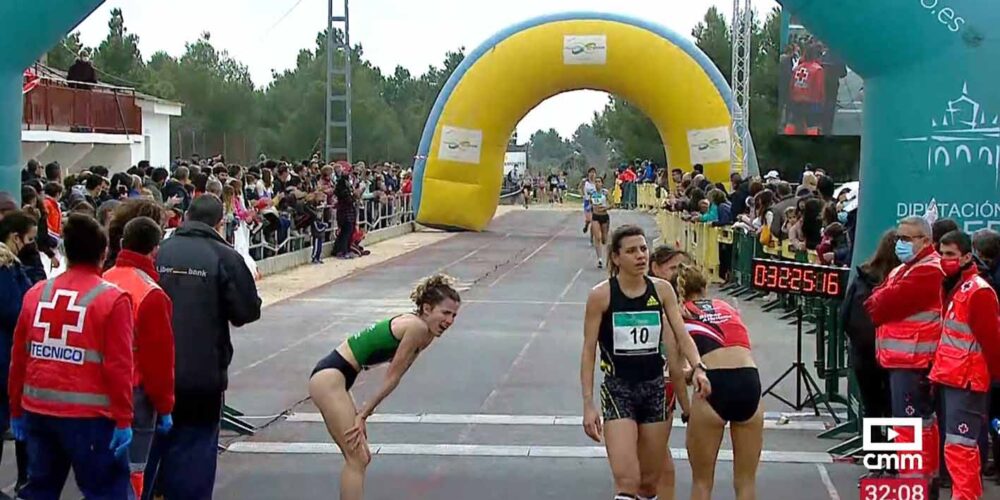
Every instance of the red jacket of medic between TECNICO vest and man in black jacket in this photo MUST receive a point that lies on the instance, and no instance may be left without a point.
(154, 336)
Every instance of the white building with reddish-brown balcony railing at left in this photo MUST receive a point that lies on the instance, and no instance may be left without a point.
(99, 125)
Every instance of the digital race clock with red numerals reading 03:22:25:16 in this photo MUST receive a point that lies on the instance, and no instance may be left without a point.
(797, 278)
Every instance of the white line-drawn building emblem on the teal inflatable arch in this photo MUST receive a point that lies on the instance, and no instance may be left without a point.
(964, 135)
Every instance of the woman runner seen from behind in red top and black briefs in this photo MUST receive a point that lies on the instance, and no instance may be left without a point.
(724, 343)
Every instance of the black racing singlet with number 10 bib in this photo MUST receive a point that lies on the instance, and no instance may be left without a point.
(631, 334)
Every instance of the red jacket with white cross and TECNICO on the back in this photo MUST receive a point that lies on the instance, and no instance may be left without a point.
(72, 351)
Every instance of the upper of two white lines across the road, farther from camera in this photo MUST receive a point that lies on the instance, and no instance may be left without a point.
(499, 419)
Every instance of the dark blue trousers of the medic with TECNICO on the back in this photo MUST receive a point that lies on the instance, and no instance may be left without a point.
(55, 444)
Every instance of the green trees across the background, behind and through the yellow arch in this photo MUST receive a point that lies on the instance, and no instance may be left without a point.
(225, 113)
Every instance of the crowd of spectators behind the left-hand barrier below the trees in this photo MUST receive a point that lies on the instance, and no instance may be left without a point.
(271, 207)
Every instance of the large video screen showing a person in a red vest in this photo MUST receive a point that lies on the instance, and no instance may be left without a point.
(817, 93)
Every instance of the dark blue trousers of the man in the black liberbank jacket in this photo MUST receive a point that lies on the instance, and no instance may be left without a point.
(182, 463)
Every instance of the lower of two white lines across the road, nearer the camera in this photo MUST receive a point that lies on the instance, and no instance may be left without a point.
(488, 450)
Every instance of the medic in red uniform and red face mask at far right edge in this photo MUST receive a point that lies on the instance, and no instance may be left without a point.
(968, 353)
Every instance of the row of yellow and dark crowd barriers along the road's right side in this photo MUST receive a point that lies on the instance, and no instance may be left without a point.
(705, 242)
